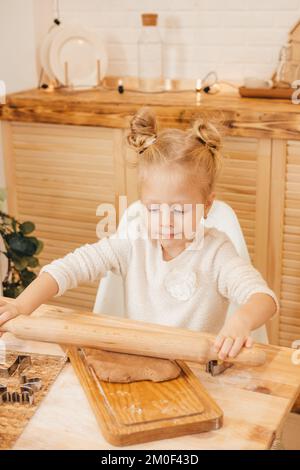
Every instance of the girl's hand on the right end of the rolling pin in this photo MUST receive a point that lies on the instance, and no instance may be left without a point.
(233, 336)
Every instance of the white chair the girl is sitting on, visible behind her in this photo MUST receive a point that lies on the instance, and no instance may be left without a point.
(110, 295)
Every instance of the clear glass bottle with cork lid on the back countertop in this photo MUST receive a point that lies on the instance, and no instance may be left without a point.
(150, 55)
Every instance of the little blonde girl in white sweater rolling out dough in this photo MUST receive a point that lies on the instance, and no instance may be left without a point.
(171, 276)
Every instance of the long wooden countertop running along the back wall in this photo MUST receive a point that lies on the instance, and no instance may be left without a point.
(249, 117)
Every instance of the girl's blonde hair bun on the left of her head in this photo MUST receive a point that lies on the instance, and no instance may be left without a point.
(143, 130)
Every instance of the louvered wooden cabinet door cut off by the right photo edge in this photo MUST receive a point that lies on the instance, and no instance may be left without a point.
(286, 246)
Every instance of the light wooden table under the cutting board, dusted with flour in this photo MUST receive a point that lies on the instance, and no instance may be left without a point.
(255, 401)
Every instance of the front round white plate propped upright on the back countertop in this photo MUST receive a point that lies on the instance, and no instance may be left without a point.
(80, 49)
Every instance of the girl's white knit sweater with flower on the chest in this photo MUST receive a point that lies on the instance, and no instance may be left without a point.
(191, 291)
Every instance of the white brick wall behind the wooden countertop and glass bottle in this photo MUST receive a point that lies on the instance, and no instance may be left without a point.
(237, 38)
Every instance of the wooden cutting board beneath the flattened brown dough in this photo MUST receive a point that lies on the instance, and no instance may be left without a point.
(146, 411)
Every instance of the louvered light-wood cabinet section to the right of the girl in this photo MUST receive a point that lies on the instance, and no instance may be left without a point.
(261, 182)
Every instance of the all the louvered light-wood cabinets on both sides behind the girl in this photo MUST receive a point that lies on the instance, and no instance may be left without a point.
(57, 175)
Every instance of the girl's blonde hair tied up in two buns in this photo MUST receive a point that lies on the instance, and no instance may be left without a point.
(197, 150)
